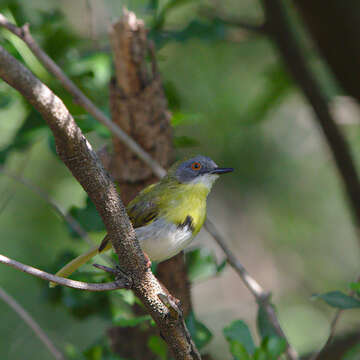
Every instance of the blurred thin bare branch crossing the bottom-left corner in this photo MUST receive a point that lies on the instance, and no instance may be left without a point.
(29, 320)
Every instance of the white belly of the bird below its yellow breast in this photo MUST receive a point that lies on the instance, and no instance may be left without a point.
(161, 240)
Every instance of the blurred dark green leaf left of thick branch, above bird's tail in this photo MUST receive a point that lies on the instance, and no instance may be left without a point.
(88, 217)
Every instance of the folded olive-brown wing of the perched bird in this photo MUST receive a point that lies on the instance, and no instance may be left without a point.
(145, 207)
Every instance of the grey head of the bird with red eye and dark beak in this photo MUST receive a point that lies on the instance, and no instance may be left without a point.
(199, 169)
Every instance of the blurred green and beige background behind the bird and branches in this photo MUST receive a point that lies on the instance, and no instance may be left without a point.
(282, 211)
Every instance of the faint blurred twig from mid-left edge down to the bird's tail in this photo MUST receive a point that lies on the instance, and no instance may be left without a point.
(75, 226)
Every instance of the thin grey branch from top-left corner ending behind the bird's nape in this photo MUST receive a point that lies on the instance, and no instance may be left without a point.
(24, 34)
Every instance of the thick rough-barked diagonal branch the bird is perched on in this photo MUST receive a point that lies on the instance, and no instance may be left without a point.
(78, 155)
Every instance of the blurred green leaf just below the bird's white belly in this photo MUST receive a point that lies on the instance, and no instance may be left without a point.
(201, 264)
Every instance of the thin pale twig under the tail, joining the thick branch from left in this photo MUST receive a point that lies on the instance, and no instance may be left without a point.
(80, 285)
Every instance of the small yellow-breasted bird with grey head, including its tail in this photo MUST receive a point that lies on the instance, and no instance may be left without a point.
(167, 215)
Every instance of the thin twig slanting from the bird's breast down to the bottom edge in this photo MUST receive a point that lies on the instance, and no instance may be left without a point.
(262, 297)
